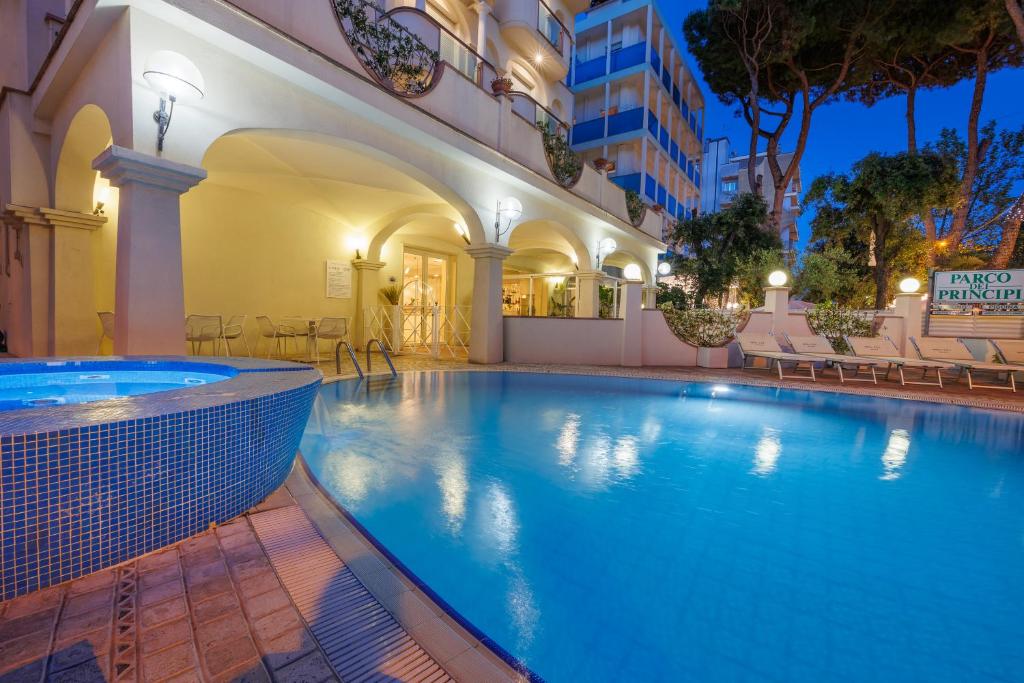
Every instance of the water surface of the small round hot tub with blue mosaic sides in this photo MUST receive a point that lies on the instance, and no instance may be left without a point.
(60, 383)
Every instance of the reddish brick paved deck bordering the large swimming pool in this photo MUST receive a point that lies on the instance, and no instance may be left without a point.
(292, 591)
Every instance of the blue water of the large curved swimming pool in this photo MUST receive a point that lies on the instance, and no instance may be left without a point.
(607, 529)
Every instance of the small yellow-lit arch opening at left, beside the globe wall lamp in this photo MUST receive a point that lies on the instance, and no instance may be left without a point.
(75, 181)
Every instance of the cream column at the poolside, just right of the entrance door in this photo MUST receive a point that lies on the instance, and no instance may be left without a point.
(487, 336)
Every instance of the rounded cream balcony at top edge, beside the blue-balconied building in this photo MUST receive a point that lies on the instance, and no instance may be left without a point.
(532, 29)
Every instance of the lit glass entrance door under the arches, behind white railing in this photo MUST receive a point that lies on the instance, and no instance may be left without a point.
(425, 283)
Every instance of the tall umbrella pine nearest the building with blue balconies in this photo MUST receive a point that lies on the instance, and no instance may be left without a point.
(780, 61)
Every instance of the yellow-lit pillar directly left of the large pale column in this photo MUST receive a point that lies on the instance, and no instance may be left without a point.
(73, 314)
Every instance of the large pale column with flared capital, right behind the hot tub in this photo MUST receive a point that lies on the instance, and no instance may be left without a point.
(149, 292)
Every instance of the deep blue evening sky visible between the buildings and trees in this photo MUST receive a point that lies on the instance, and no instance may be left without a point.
(843, 133)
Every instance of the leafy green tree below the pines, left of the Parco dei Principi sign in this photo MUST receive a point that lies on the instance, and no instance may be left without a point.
(876, 205)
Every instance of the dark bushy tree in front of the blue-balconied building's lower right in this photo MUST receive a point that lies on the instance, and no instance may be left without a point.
(715, 243)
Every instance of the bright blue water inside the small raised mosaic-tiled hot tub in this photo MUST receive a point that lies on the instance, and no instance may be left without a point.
(44, 390)
